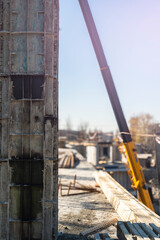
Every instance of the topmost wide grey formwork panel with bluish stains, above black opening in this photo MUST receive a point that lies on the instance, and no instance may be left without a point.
(27, 45)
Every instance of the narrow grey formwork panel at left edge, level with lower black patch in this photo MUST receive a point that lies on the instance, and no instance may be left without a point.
(3, 182)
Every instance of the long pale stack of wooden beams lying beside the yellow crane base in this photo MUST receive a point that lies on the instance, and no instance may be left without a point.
(126, 205)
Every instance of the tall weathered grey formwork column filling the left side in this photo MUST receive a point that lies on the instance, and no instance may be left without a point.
(28, 119)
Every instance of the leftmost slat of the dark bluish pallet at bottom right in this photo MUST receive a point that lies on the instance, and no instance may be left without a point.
(122, 232)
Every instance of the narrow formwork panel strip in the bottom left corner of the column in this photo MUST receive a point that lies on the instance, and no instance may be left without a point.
(3, 221)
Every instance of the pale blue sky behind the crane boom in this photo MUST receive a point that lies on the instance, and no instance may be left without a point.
(130, 34)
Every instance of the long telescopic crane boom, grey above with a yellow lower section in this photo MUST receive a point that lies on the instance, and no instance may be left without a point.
(134, 168)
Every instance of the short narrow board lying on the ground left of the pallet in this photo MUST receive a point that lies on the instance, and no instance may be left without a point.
(98, 227)
